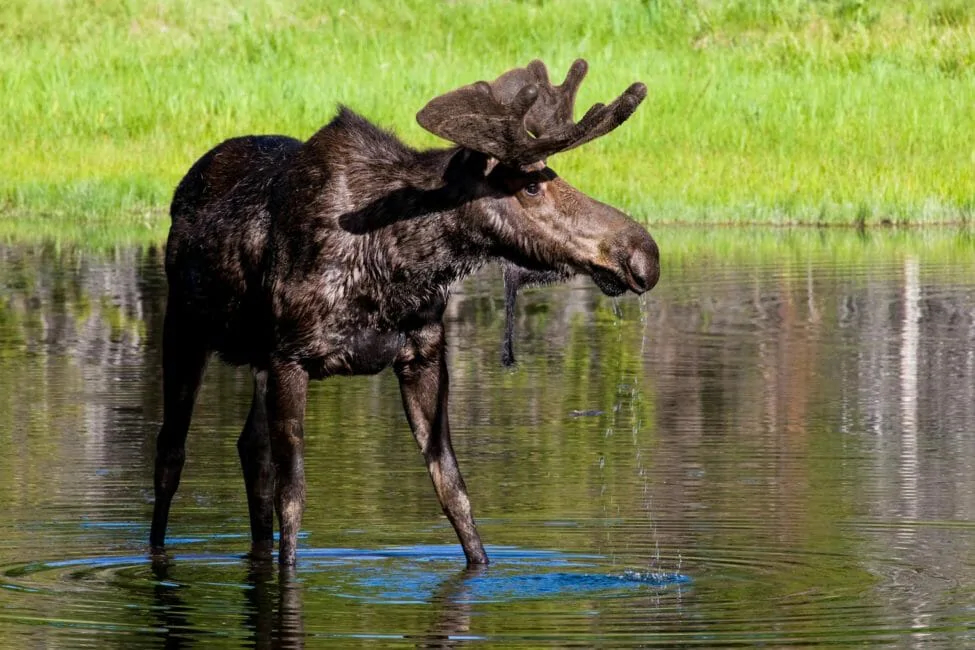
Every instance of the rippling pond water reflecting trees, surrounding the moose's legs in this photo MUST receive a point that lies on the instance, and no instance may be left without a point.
(774, 447)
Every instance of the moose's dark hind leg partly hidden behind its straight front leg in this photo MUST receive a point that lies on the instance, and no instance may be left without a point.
(254, 449)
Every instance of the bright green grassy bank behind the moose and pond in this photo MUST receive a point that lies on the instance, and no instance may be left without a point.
(833, 112)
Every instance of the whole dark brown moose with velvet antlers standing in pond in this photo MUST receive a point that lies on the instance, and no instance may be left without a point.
(335, 256)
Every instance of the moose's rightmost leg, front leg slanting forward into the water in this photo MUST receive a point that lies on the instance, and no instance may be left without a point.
(422, 372)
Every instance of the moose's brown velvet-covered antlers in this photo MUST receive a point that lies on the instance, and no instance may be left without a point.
(521, 118)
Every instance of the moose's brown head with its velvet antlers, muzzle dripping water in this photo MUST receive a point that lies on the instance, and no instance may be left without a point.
(544, 223)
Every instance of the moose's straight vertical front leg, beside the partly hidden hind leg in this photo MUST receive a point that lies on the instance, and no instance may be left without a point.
(287, 388)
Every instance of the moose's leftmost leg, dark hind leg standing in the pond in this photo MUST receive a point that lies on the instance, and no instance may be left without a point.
(184, 360)
